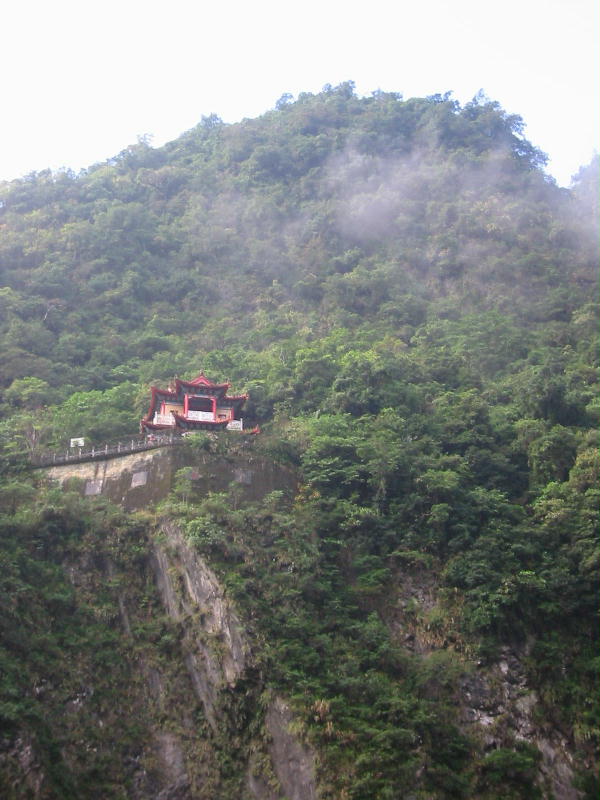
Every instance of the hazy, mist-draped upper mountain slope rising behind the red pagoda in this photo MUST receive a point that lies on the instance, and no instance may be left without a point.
(320, 213)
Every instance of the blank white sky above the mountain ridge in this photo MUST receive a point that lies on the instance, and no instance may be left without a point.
(82, 79)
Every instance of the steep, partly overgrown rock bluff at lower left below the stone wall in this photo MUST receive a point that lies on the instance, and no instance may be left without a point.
(135, 677)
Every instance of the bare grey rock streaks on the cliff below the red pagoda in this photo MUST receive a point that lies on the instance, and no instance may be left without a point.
(217, 656)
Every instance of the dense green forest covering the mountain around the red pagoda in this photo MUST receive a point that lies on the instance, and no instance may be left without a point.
(408, 299)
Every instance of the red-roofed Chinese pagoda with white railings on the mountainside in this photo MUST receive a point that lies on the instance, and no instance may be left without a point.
(194, 405)
